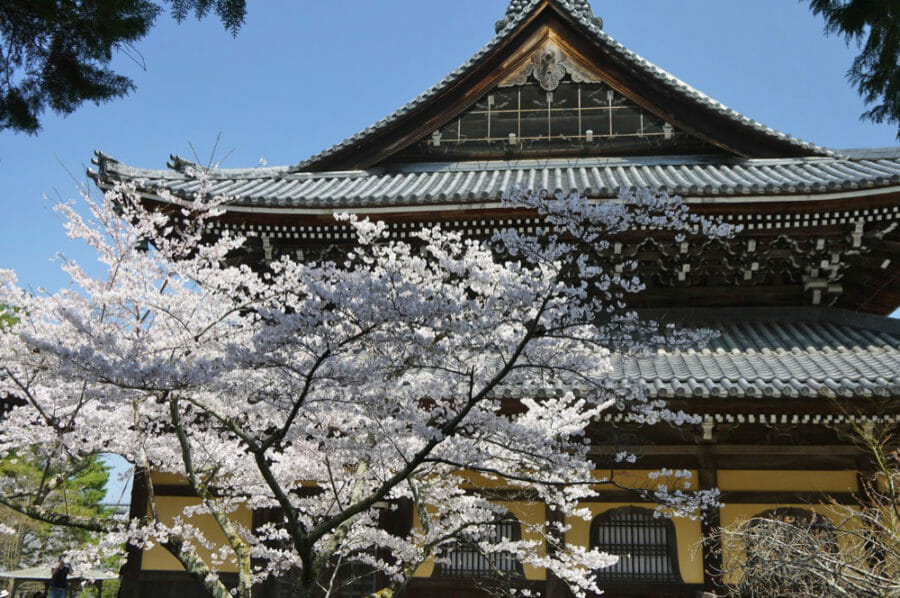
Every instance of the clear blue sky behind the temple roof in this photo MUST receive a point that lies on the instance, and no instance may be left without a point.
(305, 74)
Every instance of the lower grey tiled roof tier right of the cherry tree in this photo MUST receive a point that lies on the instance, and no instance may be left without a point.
(777, 355)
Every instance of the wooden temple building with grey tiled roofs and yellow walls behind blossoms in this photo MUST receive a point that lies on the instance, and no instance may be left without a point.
(801, 295)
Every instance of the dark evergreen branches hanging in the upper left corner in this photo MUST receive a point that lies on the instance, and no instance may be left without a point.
(55, 54)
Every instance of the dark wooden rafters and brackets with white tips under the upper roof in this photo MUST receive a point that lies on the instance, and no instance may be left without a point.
(818, 258)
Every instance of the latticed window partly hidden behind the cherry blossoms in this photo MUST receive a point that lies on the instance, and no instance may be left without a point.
(466, 559)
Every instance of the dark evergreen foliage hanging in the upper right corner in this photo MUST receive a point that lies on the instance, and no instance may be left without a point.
(875, 27)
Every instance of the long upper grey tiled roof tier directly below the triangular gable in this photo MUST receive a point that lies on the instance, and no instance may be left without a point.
(433, 184)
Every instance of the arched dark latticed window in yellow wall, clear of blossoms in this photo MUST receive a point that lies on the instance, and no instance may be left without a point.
(645, 545)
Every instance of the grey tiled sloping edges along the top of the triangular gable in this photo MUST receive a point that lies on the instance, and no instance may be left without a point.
(580, 11)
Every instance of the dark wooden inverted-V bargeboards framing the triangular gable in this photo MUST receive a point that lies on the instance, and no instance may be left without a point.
(549, 21)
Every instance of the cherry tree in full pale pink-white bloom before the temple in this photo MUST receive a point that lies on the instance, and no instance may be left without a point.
(327, 392)
